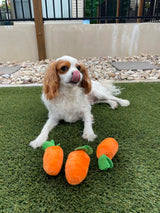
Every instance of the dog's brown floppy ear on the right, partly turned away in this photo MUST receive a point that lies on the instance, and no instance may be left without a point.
(86, 81)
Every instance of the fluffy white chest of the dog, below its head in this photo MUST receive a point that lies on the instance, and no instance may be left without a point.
(69, 105)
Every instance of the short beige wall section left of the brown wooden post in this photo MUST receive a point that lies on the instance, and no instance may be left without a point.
(18, 42)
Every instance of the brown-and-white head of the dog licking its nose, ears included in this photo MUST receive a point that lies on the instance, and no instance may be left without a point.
(66, 72)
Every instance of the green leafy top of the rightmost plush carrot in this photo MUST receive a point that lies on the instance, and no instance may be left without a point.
(104, 162)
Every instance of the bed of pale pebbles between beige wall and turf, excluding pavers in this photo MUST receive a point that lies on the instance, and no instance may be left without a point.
(99, 68)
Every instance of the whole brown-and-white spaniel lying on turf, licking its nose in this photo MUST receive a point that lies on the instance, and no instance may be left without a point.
(69, 93)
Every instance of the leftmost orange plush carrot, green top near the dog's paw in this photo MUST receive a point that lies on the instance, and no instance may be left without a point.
(52, 158)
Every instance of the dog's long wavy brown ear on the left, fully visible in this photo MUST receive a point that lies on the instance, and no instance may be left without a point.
(51, 82)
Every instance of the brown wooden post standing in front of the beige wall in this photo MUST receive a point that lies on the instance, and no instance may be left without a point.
(38, 18)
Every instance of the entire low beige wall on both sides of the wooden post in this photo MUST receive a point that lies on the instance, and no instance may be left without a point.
(18, 42)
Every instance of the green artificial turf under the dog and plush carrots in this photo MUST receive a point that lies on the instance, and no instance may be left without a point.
(132, 185)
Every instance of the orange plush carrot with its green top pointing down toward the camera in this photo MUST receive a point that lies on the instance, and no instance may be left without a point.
(106, 150)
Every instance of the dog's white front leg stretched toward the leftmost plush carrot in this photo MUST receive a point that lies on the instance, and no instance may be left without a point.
(50, 124)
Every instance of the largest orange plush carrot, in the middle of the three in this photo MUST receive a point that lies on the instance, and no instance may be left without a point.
(77, 165)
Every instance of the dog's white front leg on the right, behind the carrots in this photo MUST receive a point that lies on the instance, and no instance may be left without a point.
(88, 133)
